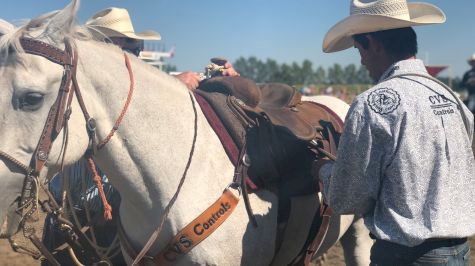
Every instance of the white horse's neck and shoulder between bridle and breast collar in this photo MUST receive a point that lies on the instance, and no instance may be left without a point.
(148, 154)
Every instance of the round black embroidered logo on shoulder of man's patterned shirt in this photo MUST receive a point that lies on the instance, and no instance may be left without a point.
(384, 101)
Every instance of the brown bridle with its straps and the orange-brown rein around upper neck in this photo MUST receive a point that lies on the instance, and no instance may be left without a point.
(57, 119)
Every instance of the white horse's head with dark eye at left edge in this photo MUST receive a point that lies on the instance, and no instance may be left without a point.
(29, 87)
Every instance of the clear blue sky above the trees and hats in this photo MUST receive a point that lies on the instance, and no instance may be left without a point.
(284, 30)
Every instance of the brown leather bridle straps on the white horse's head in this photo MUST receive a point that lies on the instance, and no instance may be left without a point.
(57, 119)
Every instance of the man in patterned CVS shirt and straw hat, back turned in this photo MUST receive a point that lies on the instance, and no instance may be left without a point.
(405, 160)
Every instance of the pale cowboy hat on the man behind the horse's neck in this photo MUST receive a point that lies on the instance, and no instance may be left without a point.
(116, 22)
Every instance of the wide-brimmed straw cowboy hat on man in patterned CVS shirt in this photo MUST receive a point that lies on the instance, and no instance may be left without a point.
(377, 15)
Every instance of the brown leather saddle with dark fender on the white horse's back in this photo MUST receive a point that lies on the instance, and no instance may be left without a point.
(282, 135)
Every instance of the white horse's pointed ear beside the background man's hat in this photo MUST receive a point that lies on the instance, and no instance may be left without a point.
(61, 23)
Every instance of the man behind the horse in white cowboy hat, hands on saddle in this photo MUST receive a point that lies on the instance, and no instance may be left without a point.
(114, 24)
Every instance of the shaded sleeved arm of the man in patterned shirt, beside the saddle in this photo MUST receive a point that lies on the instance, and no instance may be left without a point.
(351, 184)
